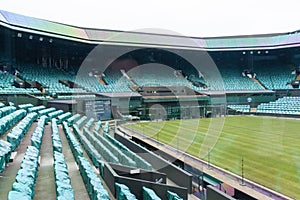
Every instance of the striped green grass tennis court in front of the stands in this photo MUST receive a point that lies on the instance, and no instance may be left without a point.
(269, 146)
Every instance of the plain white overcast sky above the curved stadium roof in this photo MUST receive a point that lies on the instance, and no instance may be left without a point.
(200, 18)
